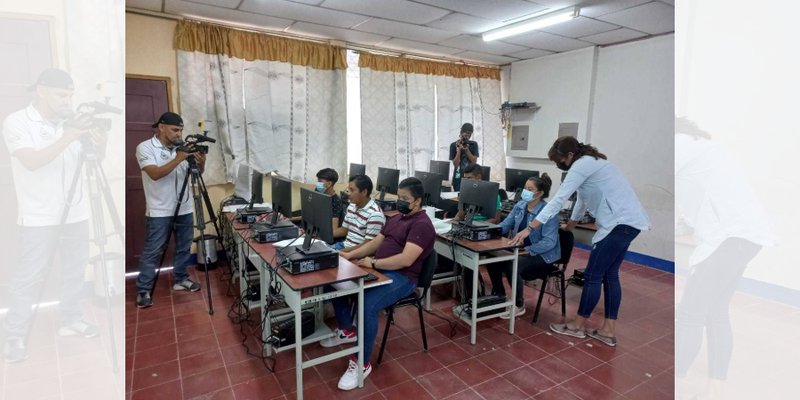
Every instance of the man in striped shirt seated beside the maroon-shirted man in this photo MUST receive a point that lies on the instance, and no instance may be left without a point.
(364, 219)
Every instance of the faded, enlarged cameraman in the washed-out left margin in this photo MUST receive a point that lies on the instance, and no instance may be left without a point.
(47, 141)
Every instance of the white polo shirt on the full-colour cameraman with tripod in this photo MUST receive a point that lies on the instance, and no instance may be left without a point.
(162, 195)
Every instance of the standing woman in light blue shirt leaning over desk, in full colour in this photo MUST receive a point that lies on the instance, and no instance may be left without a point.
(607, 195)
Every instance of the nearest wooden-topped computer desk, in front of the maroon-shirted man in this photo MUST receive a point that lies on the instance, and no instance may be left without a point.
(295, 289)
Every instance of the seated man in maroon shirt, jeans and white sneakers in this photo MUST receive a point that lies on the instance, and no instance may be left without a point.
(397, 252)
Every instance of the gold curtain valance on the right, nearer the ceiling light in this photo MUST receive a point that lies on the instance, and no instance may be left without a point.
(397, 64)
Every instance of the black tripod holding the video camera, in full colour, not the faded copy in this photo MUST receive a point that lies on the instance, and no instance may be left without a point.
(199, 196)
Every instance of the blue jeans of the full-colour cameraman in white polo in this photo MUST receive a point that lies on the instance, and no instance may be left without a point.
(157, 229)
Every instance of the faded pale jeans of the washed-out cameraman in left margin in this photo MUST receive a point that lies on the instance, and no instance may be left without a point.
(36, 247)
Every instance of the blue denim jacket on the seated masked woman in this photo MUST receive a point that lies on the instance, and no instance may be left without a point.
(544, 239)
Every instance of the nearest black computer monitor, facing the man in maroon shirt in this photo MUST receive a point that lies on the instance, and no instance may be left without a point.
(317, 220)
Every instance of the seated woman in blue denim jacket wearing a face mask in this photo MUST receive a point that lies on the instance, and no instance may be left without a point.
(541, 245)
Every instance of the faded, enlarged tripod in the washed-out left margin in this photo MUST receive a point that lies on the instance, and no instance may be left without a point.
(98, 188)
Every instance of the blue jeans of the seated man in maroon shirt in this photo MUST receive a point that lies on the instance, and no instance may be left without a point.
(375, 300)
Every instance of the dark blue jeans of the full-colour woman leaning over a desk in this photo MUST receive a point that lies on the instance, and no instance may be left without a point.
(603, 269)
